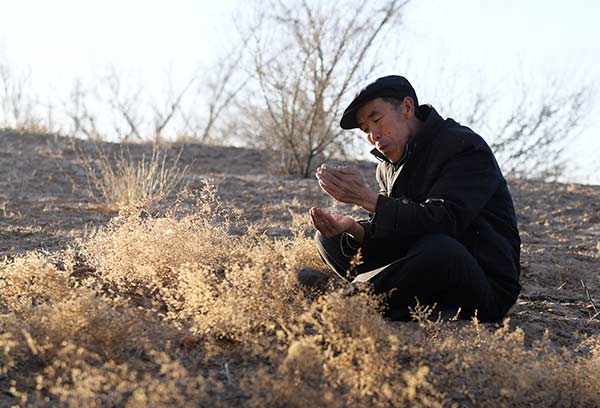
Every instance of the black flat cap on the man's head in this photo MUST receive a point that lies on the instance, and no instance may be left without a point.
(393, 85)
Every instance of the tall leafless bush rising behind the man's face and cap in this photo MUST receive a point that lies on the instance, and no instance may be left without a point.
(306, 57)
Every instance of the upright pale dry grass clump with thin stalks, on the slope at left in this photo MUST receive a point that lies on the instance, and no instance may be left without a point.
(122, 181)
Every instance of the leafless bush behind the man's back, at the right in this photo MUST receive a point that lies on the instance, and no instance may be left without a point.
(528, 122)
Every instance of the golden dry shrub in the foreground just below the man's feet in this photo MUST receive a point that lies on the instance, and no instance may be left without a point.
(344, 354)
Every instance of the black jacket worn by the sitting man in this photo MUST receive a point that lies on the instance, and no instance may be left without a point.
(449, 182)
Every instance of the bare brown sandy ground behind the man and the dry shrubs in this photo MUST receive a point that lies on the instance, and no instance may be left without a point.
(45, 204)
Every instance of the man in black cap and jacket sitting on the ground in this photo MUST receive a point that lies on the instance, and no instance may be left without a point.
(442, 229)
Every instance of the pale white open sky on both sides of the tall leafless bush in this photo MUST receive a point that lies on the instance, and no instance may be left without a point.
(60, 40)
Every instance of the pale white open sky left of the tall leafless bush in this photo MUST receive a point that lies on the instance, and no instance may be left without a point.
(63, 39)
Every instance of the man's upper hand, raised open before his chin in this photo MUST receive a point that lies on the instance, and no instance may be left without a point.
(346, 185)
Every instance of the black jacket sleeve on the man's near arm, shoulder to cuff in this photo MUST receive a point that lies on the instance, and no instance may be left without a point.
(466, 182)
